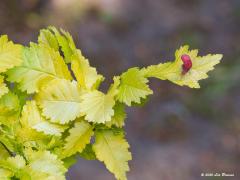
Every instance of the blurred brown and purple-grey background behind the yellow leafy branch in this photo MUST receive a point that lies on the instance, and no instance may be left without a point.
(180, 132)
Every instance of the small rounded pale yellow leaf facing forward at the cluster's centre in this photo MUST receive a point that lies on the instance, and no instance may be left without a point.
(97, 106)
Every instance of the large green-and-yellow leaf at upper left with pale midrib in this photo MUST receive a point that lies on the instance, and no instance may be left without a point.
(41, 64)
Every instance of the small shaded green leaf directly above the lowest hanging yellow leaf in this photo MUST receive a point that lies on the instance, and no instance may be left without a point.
(119, 116)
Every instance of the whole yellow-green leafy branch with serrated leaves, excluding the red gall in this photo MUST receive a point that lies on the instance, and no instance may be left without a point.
(51, 108)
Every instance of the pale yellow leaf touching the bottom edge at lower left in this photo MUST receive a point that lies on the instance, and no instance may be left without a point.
(45, 162)
